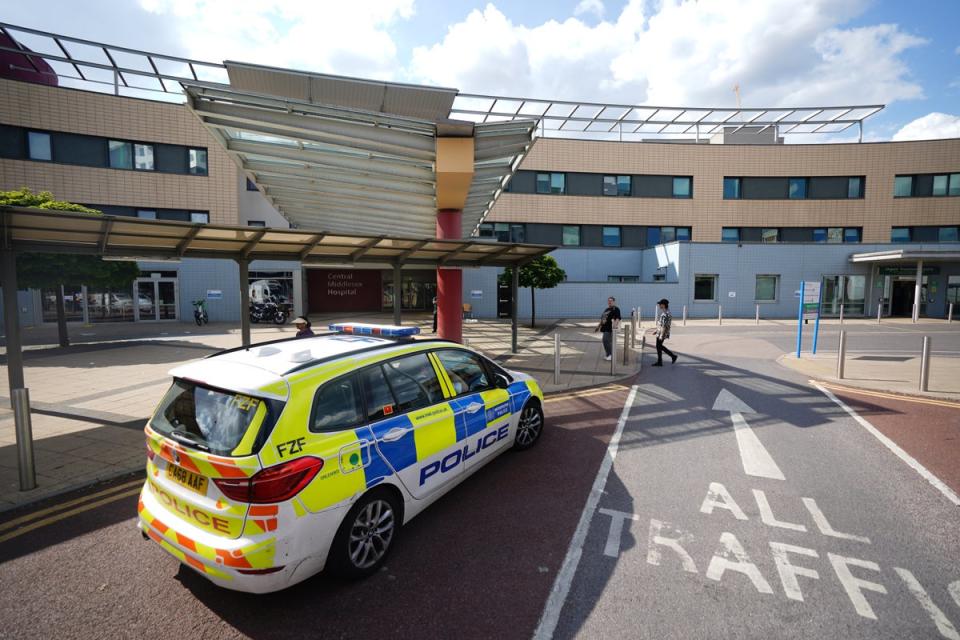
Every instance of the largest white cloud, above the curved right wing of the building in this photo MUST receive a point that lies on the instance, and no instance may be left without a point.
(681, 52)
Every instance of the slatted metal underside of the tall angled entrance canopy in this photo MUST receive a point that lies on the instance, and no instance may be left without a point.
(345, 169)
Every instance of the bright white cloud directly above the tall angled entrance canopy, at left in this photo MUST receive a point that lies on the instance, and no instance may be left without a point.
(350, 38)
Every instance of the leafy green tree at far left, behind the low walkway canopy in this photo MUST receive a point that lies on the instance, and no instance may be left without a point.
(53, 270)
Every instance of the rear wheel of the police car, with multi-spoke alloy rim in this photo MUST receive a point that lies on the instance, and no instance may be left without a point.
(365, 536)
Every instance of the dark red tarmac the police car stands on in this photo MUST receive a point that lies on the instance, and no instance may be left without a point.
(477, 564)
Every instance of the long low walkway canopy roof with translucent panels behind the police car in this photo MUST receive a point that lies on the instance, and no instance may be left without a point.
(42, 230)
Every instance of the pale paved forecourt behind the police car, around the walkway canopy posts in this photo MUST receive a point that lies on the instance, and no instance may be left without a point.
(91, 400)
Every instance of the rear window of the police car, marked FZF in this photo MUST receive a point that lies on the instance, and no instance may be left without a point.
(207, 419)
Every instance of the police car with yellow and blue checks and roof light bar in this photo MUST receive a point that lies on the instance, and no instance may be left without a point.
(269, 463)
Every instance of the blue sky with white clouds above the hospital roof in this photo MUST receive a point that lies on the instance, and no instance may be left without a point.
(779, 53)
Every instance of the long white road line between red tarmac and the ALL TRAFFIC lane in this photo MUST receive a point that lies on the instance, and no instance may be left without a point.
(561, 586)
